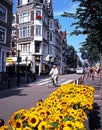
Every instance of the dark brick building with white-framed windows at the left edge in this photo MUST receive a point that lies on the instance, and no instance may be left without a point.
(5, 32)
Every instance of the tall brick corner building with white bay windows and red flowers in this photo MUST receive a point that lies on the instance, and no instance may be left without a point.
(38, 35)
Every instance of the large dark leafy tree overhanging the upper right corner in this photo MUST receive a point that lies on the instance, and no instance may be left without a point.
(88, 18)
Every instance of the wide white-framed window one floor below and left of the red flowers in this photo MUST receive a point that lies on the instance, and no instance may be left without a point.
(24, 32)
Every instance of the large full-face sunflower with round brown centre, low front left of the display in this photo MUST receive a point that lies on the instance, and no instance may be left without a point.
(33, 120)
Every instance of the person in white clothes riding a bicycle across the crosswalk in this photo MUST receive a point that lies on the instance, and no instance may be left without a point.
(54, 74)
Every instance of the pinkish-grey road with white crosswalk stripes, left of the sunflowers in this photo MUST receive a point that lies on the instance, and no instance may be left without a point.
(24, 97)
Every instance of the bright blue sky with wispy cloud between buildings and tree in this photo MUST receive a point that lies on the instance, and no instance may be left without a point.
(59, 6)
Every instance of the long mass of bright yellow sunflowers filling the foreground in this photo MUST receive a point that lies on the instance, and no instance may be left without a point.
(66, 108)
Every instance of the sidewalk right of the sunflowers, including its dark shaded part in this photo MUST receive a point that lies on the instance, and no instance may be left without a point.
(95, 118)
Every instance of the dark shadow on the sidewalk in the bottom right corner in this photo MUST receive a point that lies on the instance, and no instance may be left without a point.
(94, 118)
